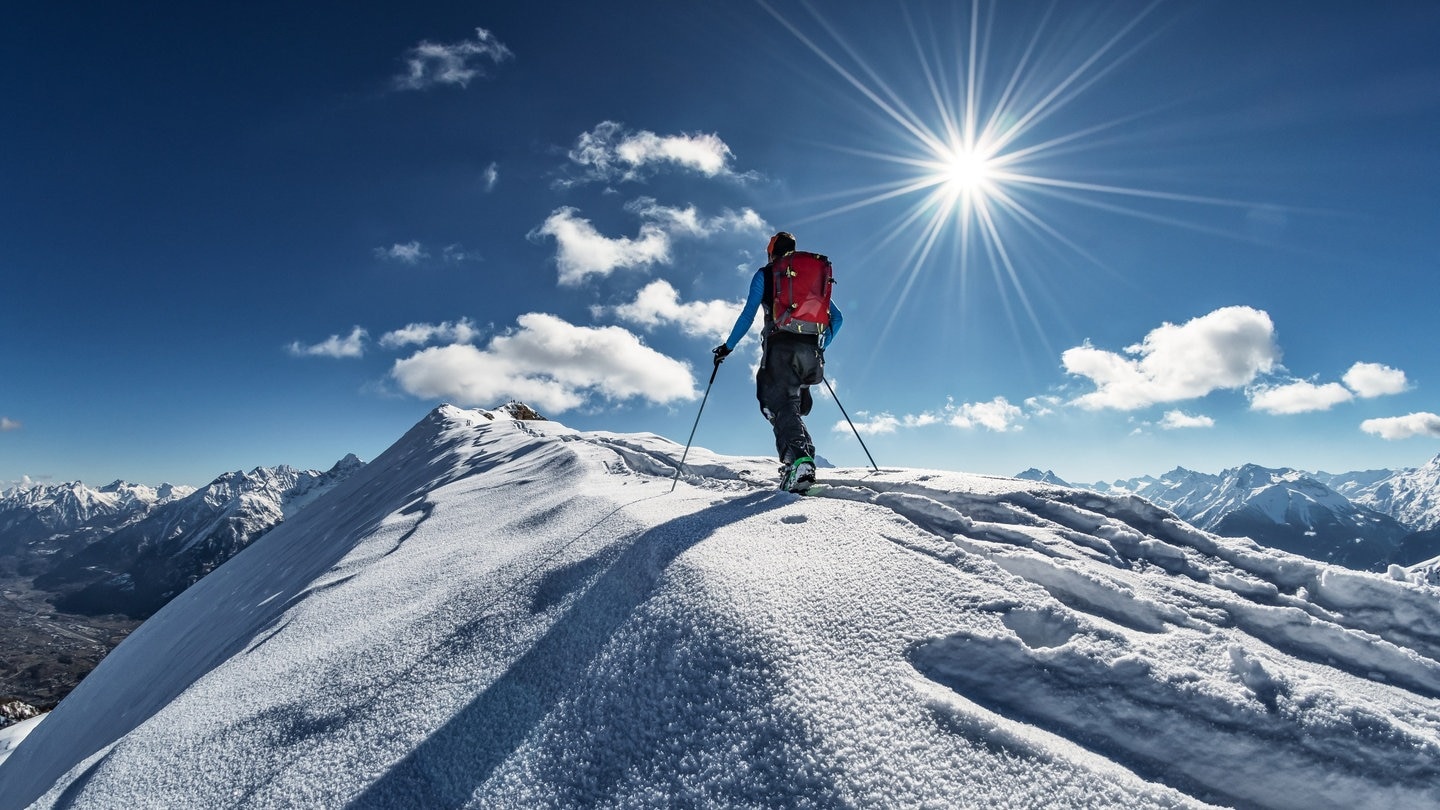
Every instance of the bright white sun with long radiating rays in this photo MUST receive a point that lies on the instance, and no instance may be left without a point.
(990, 146)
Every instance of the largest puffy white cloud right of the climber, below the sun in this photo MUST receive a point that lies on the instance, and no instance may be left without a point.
(1228, 348)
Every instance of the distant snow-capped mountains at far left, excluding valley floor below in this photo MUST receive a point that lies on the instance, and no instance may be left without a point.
(129, 550)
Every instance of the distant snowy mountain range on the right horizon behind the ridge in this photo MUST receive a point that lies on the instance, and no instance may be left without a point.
(1367, 521)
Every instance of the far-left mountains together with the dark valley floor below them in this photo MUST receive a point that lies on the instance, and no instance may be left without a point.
(80, 567)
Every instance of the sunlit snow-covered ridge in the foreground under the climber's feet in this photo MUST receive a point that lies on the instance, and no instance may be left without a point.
(503, 613)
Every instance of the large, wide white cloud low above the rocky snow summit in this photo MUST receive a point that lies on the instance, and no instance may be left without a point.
(549, 364)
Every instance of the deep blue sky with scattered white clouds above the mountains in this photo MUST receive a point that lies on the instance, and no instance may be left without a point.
(195, 201)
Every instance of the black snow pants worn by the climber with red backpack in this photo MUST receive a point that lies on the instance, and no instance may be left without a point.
(790, 367)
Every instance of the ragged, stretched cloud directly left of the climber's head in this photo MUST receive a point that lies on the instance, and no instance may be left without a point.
(584, 252)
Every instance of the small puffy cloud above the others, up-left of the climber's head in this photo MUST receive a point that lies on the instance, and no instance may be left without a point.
(610, 152)
